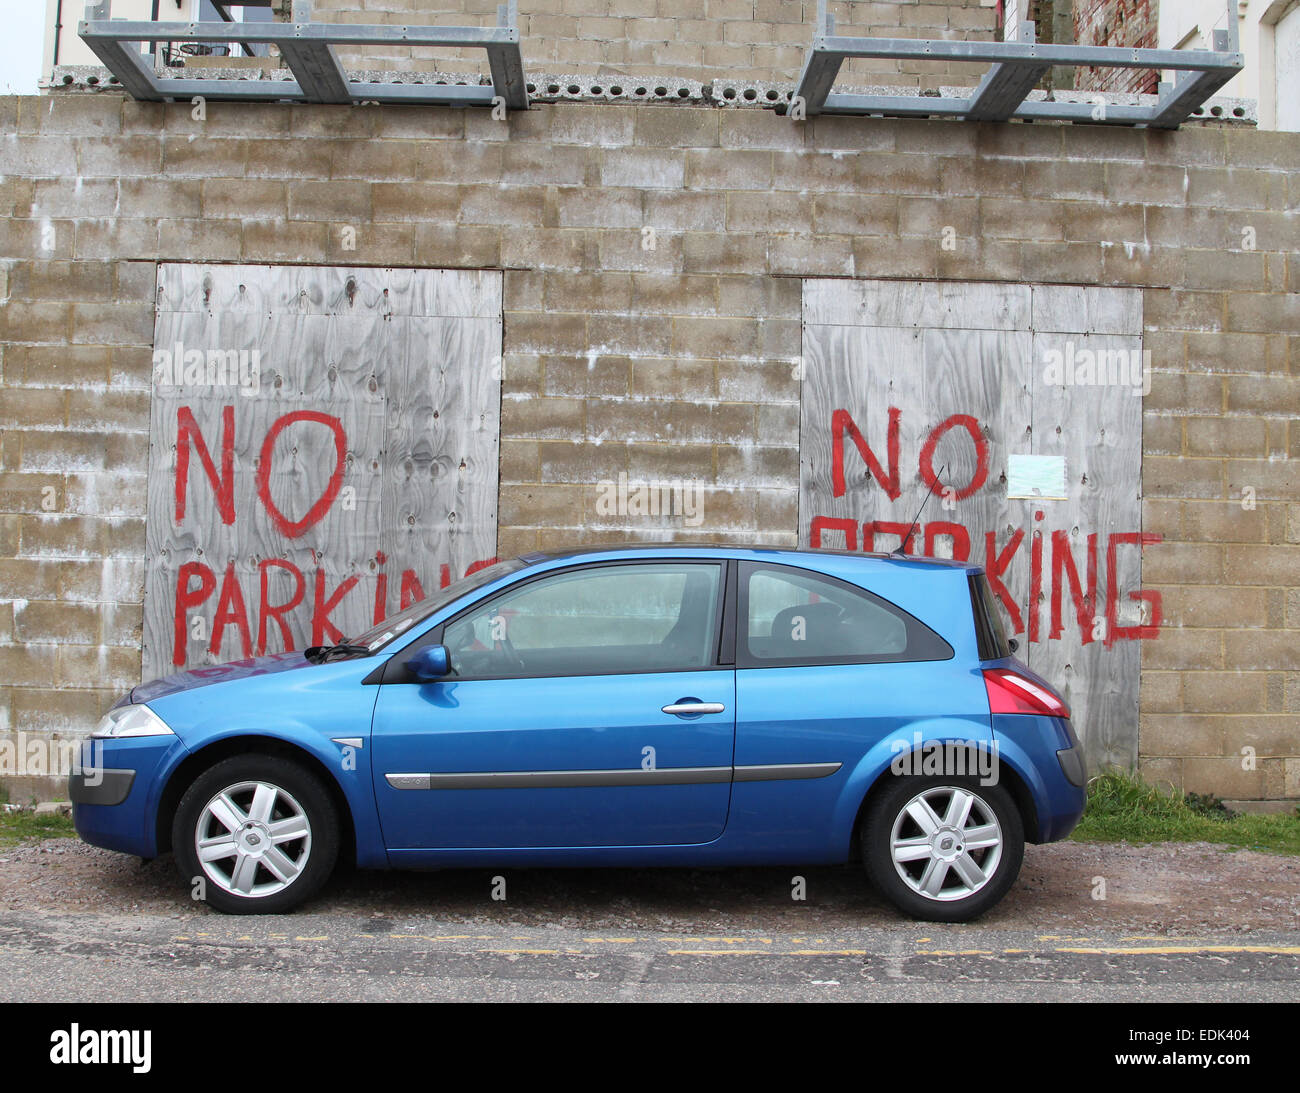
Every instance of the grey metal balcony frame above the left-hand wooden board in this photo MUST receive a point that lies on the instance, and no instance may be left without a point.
(307, 50)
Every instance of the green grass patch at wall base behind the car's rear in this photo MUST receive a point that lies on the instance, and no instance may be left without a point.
(1123, 806)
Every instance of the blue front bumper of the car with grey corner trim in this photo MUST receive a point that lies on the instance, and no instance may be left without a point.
(118, 788)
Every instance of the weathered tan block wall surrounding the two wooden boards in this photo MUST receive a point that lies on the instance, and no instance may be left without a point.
(666, 362)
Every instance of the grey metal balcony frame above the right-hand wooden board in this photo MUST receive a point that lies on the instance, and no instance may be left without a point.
(1016, 68)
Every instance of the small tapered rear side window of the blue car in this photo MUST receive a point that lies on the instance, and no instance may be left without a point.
(792, 617)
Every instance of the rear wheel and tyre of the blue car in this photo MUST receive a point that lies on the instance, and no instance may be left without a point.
(941, 878)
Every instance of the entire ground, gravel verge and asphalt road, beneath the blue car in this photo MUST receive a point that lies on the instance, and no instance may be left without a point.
(1180, 923)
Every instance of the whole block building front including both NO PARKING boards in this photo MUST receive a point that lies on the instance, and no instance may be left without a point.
(431, 336)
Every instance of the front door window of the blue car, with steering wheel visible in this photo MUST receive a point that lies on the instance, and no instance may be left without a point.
(604, 621)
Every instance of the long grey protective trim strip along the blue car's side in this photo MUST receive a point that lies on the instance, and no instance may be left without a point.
(634, 777)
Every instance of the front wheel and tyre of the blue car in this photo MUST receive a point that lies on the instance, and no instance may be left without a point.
(276, 819)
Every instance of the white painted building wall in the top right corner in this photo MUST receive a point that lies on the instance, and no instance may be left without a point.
(1269, 36)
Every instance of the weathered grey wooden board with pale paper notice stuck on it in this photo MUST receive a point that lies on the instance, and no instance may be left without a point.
(963, 372)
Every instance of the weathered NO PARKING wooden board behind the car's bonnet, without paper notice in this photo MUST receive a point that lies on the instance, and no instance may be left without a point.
(362, 466)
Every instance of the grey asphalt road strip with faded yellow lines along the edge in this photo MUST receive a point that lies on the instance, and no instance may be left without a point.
(332, 957)
